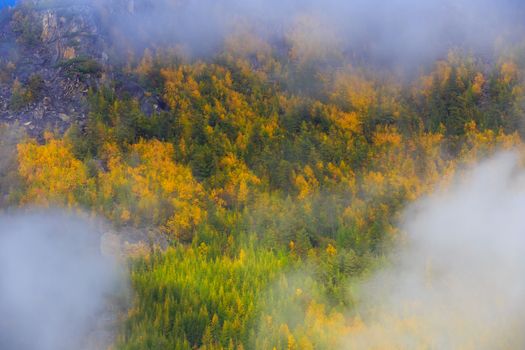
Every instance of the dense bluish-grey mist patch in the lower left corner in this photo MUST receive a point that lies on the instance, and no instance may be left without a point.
(54, 283)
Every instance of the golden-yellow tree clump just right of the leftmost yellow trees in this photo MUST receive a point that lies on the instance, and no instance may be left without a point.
(150, 188)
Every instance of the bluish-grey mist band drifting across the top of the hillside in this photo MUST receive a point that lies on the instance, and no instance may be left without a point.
(387, 32)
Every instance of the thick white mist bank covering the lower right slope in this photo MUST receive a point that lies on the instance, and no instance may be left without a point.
(458, 279)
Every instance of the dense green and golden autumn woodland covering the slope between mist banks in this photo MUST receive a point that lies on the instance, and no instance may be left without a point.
(278, 174)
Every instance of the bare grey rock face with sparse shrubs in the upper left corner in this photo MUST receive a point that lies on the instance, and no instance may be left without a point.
(53, 53)
